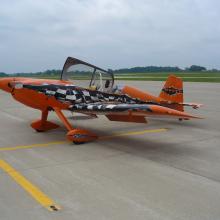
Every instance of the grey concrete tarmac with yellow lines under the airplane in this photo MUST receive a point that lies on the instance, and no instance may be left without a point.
(165, 169)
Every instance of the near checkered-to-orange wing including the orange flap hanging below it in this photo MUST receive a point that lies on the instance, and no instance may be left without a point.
(129, 112)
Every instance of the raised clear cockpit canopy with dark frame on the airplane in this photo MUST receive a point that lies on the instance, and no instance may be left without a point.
(86, 75)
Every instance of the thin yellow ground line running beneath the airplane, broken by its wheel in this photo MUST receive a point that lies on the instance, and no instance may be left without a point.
(120, 134)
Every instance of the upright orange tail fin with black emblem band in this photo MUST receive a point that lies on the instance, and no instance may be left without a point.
(173, 92)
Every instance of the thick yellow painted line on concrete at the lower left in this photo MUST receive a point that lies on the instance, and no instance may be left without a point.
(35, 192)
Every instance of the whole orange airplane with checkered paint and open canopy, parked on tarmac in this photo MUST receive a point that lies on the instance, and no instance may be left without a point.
(98, 96)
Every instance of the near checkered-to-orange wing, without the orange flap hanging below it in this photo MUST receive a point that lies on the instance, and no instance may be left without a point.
(147, 110)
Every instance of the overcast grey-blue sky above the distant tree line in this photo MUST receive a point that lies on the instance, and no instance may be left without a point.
(39, 35)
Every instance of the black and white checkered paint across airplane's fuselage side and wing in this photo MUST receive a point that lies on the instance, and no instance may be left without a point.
(85, 100)
